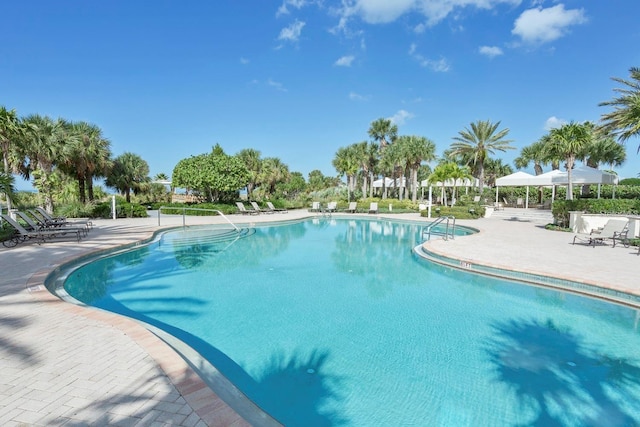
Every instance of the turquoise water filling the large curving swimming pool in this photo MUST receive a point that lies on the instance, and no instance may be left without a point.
(338, 323)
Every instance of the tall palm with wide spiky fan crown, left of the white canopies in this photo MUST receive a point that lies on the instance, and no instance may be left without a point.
(477, 143)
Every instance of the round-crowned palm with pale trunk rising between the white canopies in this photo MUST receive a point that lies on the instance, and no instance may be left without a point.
(570, 140)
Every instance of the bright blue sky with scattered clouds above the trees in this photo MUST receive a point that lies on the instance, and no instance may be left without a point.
(297, 79)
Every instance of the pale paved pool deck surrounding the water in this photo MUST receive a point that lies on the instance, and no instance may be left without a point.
(64, 364)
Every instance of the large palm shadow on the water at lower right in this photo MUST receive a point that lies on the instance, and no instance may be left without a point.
(560, 379)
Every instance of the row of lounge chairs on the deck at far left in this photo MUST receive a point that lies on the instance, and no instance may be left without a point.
(38, 225)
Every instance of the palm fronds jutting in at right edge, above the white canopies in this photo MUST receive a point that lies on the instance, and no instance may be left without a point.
(624, 121)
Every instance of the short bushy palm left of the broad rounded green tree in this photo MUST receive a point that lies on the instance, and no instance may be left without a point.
(129, 173)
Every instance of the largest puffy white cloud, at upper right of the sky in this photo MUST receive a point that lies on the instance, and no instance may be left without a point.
(538, 26)
